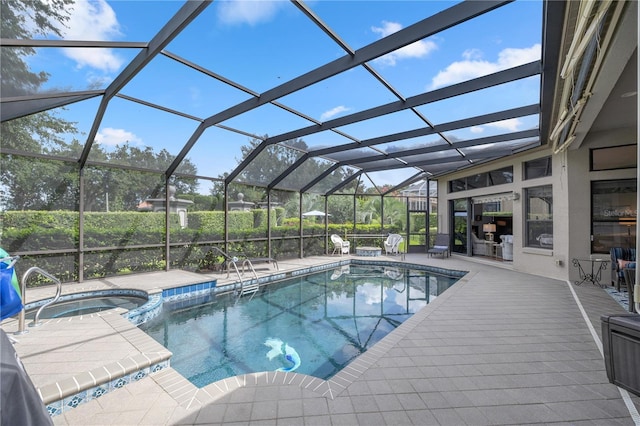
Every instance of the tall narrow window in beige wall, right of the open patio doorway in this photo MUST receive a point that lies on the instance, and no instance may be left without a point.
(539, 217)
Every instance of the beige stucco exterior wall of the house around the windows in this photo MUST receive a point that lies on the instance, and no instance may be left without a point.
(571, 182)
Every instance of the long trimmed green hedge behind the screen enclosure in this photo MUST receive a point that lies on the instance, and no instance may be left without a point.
(191, 247)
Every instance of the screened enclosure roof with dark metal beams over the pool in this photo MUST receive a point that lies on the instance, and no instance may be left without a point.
(294, 95)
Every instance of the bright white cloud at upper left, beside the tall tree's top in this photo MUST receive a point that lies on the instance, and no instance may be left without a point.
(93, 20)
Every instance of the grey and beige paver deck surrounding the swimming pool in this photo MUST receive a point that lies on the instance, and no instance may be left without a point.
(499, 347)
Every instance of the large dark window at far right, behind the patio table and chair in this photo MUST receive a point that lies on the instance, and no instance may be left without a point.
(613, 214)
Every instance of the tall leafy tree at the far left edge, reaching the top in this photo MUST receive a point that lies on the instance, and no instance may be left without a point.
(29, 183)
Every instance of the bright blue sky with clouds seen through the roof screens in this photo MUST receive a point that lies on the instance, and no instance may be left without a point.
(261, 44)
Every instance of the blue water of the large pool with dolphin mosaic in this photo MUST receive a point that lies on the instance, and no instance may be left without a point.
(320, 321)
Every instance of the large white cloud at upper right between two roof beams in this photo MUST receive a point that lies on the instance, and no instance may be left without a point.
(473, 66)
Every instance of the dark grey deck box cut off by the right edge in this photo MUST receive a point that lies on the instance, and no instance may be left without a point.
(621, 345)
